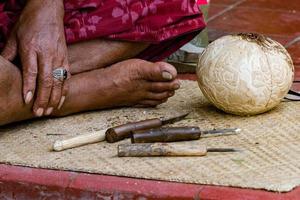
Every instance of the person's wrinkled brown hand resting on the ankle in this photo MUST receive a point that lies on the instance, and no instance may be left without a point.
(38, 37)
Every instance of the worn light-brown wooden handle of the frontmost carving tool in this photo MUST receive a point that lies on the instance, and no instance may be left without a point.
(160, 149)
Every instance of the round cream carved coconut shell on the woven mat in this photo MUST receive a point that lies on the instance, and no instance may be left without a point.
(245, 74)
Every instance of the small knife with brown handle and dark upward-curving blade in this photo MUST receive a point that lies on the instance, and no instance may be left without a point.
(124, 131)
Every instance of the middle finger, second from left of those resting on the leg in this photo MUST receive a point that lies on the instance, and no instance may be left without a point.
(44, 87)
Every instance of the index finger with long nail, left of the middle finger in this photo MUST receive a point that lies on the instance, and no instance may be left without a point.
(29, 73)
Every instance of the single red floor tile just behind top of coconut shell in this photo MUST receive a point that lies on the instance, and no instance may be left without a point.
(265, 21)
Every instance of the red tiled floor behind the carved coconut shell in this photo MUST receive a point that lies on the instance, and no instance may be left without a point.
(277, 19)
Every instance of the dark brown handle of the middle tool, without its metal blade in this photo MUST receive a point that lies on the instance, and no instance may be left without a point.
(169, 134)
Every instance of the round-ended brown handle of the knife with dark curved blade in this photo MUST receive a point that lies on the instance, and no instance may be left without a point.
(124, 131)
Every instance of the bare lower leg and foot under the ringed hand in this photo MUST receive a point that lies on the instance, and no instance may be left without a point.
(127, 83)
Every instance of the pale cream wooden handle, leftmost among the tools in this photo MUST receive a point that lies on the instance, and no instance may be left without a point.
(81, 140)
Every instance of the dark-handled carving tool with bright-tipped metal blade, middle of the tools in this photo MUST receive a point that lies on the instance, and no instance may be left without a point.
(173, 134)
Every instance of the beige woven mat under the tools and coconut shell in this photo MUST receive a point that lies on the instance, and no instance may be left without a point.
(271, 143)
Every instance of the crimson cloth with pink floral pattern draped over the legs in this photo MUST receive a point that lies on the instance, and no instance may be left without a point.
(165, 24)
